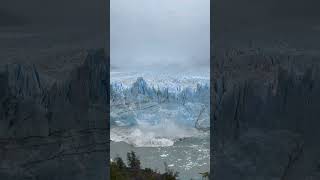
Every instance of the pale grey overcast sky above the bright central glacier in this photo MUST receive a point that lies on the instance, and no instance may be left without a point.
(148, 33)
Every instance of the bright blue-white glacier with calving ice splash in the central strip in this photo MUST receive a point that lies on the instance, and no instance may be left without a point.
(153, 110)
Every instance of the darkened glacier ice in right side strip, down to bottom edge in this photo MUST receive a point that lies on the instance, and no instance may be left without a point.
(265, 114)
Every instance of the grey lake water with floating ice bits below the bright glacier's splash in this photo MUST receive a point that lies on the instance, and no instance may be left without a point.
(189, 156)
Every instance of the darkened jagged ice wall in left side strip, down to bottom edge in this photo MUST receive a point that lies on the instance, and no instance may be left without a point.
(54, 129)
